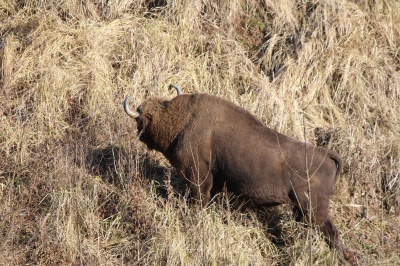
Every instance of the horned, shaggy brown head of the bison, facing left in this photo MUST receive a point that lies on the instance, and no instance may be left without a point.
(147, 117)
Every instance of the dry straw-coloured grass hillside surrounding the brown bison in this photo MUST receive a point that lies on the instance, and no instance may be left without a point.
(78, 188)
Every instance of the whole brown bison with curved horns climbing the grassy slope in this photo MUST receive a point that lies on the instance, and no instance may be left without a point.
(211, 141)
